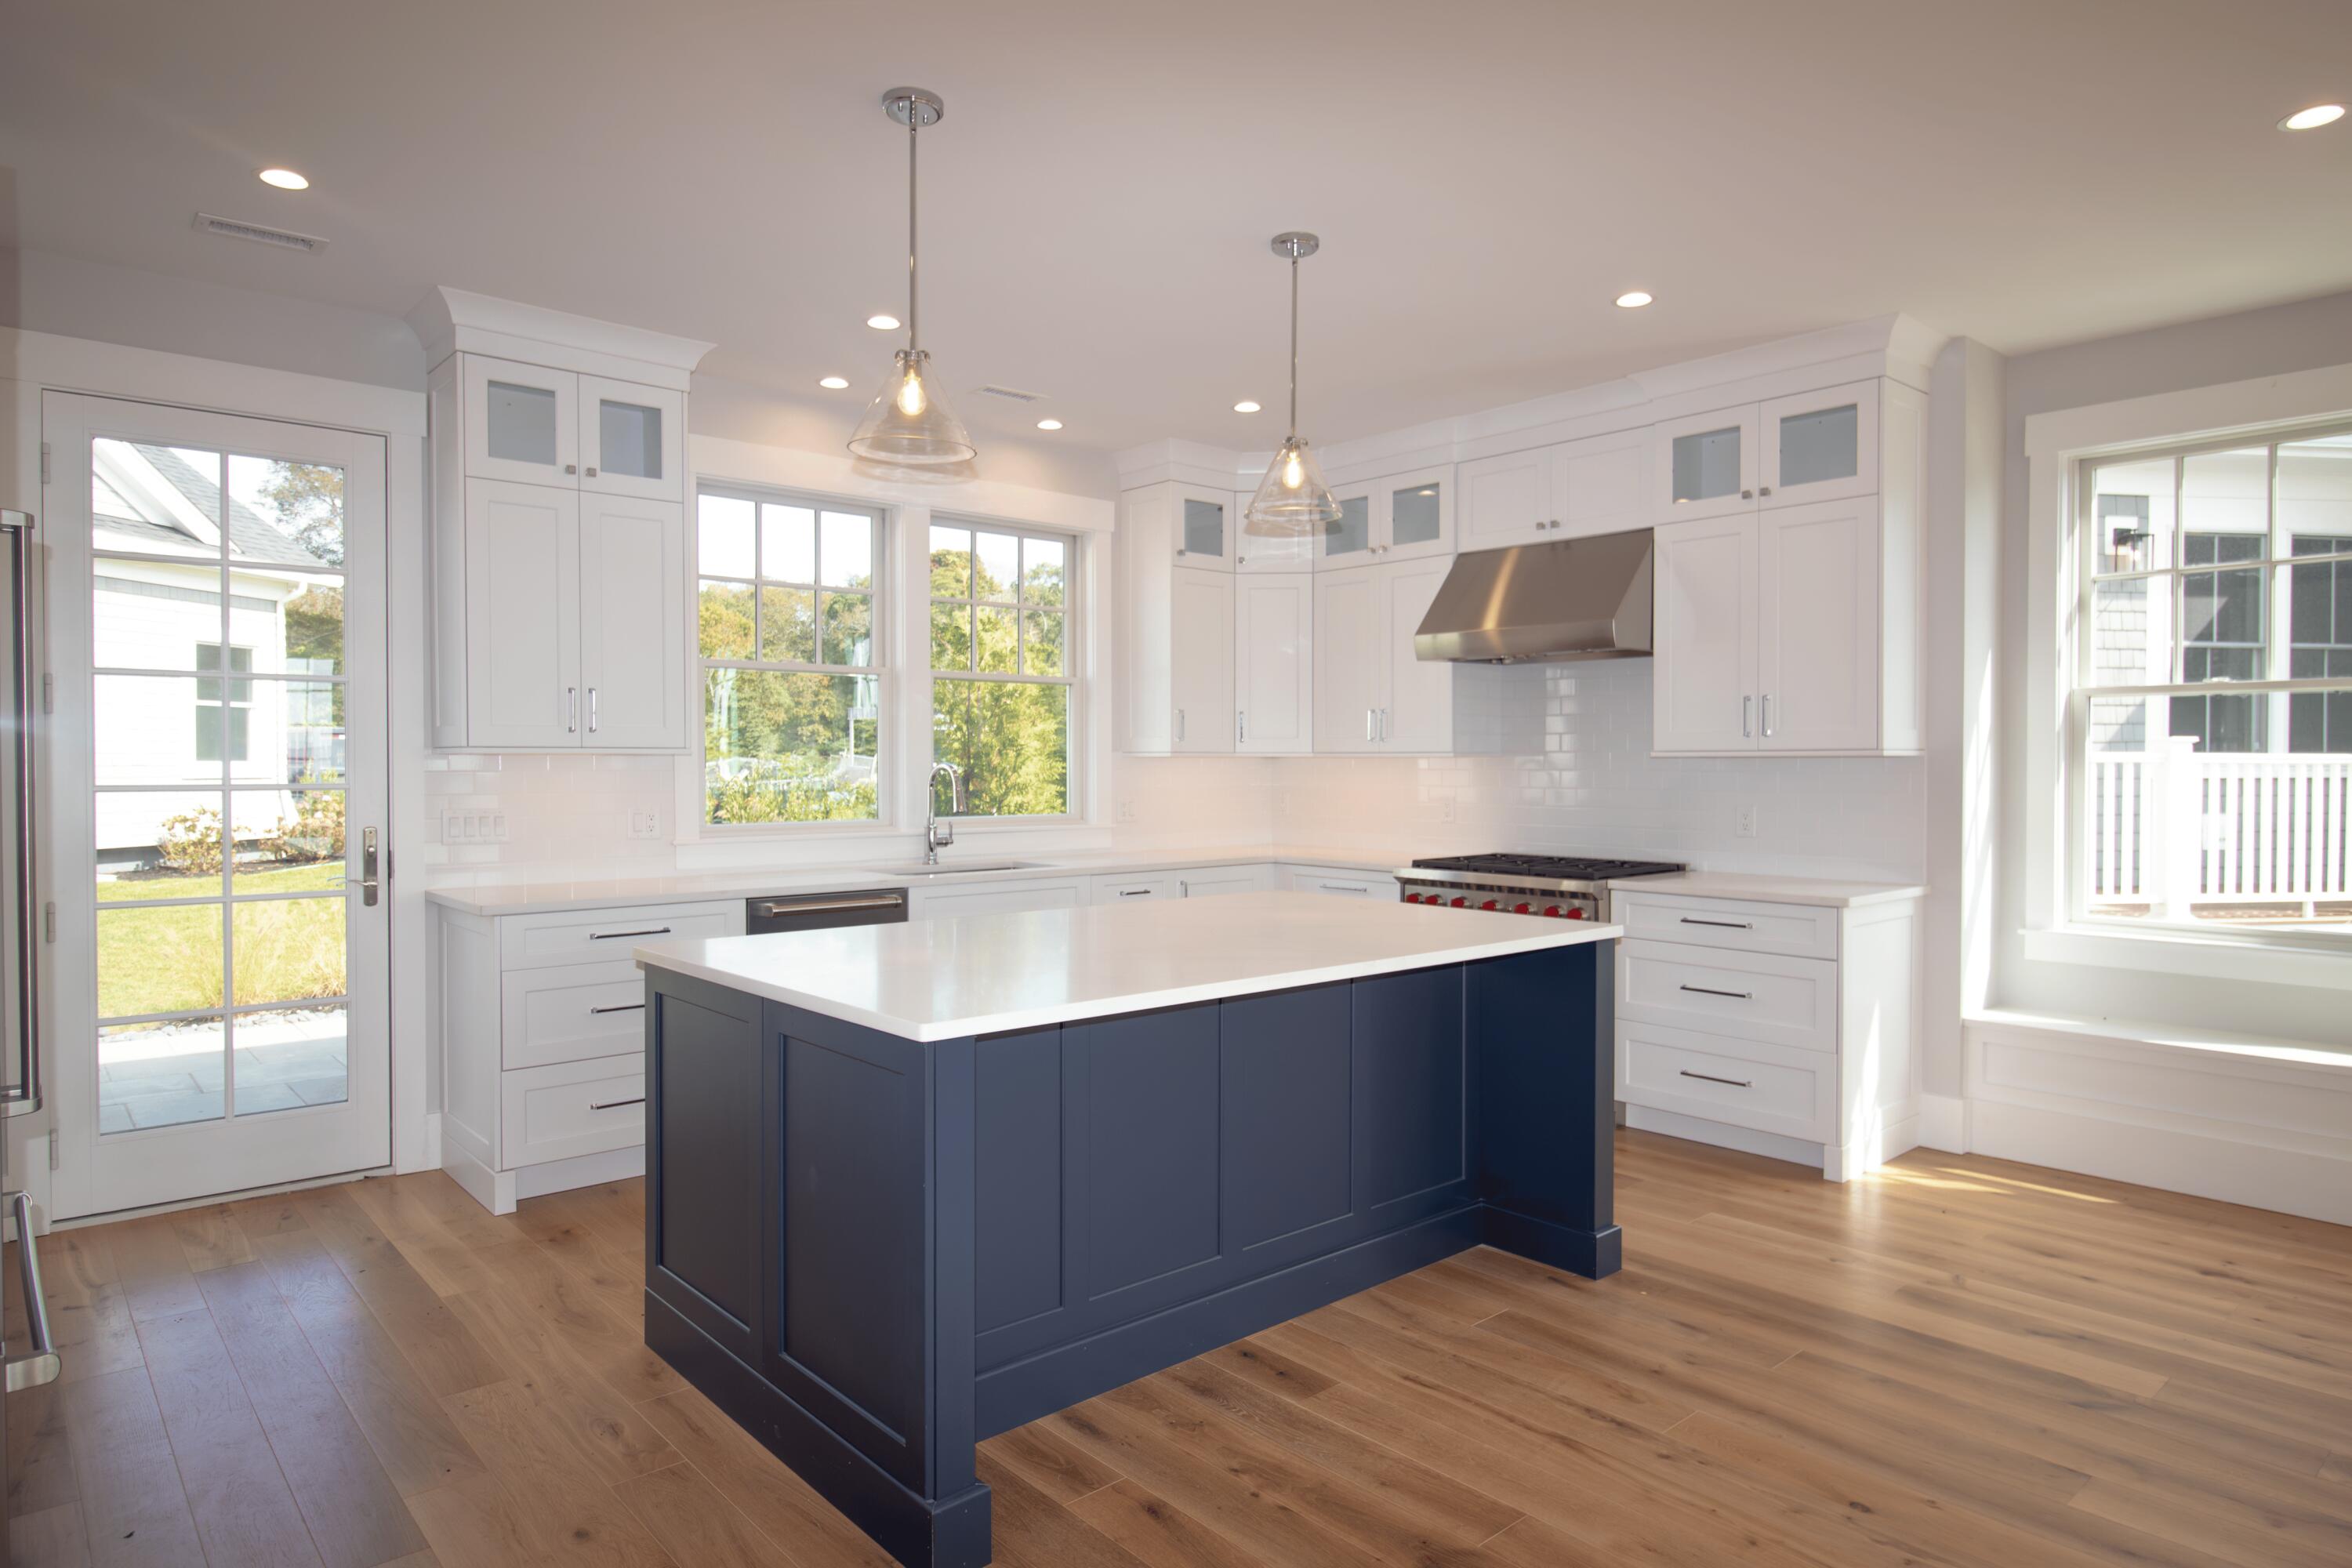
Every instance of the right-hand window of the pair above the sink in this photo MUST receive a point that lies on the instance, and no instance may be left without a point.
(1003, 605)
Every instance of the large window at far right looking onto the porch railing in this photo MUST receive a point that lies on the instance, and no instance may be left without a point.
(2212, 695)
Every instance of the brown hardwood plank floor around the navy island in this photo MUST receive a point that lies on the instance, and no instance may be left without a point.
(1956, 1362)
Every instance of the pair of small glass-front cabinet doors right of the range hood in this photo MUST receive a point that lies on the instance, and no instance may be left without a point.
(1784, 453)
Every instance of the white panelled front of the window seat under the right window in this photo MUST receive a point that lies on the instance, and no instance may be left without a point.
(2219, 1125)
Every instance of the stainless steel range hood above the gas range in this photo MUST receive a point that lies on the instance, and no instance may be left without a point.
(1577, 598)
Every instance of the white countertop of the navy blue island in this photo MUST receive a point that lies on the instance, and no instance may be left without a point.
(984, 974)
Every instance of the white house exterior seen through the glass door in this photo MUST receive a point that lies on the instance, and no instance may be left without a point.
(161, 615)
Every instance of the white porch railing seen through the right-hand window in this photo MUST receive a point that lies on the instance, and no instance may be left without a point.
(2238, 826)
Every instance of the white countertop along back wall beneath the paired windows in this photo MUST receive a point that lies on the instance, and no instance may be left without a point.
(679, 887)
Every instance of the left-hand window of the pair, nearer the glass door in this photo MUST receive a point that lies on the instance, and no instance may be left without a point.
(789, 612)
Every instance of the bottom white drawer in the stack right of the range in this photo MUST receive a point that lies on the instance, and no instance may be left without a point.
(1772, 1090)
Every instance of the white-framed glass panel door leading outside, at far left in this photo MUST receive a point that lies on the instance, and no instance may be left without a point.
(220, 591)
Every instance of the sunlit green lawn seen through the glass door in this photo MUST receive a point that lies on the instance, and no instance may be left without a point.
(171, 960)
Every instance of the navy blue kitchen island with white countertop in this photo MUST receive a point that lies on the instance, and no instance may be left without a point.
(916, 1186)
